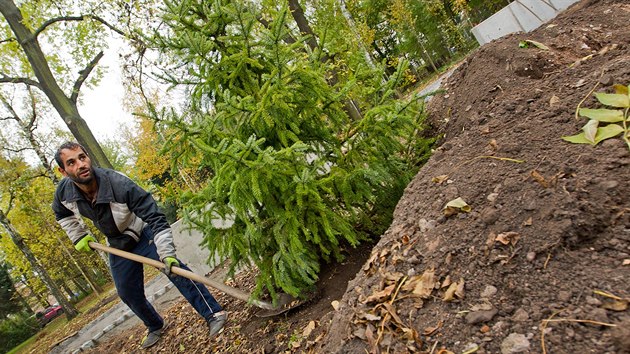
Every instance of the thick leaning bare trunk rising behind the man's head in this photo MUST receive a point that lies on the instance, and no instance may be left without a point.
(66, 108)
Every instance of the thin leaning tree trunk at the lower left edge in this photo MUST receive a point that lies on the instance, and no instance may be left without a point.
(68, 308)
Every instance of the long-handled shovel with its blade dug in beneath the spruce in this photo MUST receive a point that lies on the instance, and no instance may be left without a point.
(286, 302)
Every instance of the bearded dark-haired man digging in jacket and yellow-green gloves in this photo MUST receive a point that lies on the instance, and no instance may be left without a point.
(131, 220)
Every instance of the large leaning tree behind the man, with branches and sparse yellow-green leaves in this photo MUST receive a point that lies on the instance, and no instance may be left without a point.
(23, 60)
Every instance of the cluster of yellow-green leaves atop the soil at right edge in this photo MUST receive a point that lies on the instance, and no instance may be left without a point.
(606, 123)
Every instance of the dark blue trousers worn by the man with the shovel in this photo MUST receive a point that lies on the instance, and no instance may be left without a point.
(129, 280)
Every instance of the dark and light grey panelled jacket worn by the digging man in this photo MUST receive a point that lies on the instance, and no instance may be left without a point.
(121, 211)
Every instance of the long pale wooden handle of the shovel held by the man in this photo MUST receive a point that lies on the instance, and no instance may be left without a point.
(186, 274)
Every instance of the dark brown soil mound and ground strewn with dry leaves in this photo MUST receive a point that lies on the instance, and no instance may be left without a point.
(561, 284)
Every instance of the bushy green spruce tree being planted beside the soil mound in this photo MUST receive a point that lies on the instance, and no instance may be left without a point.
(293, 177)
